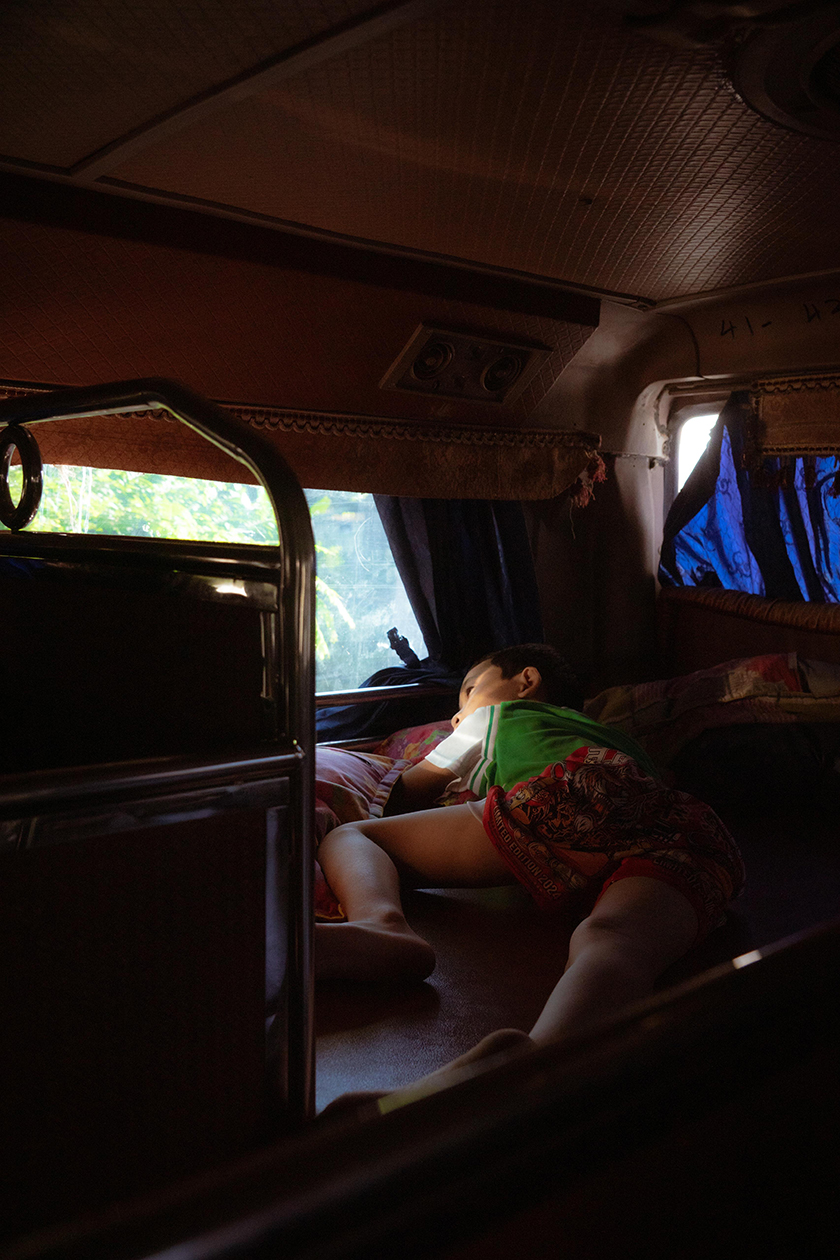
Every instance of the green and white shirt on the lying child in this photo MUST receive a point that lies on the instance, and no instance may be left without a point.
(503, 745)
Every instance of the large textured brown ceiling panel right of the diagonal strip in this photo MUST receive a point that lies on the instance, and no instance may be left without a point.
(536, 135)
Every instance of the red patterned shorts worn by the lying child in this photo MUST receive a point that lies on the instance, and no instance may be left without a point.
(598, 818)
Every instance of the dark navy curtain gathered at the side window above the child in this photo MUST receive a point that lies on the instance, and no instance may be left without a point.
(469, 574)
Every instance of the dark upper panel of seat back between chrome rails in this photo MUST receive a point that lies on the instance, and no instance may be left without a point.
(96, 671)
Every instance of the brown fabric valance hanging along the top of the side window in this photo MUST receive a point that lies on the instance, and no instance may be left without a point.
(333, 452)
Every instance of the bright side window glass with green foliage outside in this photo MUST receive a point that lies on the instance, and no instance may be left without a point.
(360, 593)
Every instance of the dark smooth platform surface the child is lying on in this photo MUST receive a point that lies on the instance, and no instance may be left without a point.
(499, 957)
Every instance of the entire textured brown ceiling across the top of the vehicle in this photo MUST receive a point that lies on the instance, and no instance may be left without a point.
(537, 135)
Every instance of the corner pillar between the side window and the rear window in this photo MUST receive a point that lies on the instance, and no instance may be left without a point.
(598, 565)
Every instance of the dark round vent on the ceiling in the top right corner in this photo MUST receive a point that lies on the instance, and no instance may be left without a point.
(790, 72)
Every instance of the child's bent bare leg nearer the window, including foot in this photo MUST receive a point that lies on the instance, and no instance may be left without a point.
(365, 864)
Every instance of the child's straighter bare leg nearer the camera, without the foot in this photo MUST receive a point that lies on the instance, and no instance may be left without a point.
(639, 928)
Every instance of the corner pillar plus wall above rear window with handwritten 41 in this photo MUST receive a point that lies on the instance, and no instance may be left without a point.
(598, 566)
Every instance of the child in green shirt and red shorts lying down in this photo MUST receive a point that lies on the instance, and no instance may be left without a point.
(571, 810)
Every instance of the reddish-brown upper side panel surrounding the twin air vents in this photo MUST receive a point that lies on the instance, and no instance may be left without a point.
(79, 308)
